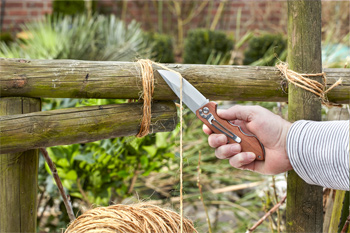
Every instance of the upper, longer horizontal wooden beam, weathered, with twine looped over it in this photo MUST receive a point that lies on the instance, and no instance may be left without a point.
(121, 80)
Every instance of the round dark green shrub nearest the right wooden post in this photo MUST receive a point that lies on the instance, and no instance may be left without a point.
(265, 49)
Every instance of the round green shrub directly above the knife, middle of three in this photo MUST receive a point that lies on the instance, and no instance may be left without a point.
(200, 44)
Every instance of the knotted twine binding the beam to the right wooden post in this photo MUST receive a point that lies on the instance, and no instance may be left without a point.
(301, 80)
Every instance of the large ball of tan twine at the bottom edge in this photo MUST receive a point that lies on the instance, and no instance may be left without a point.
(134, 218)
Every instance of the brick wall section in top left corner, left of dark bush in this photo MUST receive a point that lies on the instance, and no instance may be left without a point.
(17, 12)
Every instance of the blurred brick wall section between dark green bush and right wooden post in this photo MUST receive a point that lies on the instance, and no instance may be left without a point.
(268, 15)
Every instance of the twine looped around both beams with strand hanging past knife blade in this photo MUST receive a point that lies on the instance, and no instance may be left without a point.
(148, 88)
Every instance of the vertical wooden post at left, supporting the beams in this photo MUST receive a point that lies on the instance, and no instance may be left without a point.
(18, 176)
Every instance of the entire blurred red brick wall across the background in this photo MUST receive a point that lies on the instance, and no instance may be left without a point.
(262, 15)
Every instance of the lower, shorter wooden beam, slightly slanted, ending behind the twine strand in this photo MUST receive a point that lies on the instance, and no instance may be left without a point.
(80, 125)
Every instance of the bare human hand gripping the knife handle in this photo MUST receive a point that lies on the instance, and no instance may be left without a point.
(271, 130)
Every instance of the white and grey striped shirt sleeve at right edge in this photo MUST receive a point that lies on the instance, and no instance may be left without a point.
(319, 152)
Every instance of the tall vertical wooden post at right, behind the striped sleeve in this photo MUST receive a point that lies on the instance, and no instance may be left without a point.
(304, 202)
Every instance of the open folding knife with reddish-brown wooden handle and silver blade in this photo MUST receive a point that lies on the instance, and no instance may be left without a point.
(206, 112)
